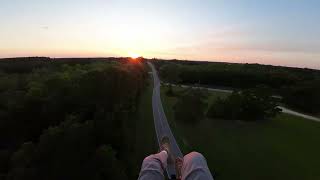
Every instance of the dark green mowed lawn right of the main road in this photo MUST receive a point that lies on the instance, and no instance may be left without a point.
(286, 147)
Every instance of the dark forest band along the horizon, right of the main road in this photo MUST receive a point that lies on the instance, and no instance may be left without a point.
(299, 88)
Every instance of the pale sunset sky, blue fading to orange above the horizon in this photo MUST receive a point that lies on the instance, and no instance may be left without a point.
(278, 32)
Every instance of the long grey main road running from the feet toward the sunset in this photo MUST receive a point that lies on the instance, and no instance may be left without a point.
(160, 121)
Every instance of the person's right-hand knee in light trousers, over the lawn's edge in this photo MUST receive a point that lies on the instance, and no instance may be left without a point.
(195, 167)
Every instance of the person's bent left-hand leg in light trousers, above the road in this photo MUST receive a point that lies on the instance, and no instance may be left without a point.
(153, 166)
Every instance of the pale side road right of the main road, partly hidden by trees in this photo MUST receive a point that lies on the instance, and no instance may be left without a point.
(283, 109)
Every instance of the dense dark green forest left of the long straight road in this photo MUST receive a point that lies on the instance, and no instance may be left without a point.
(68, 118)
